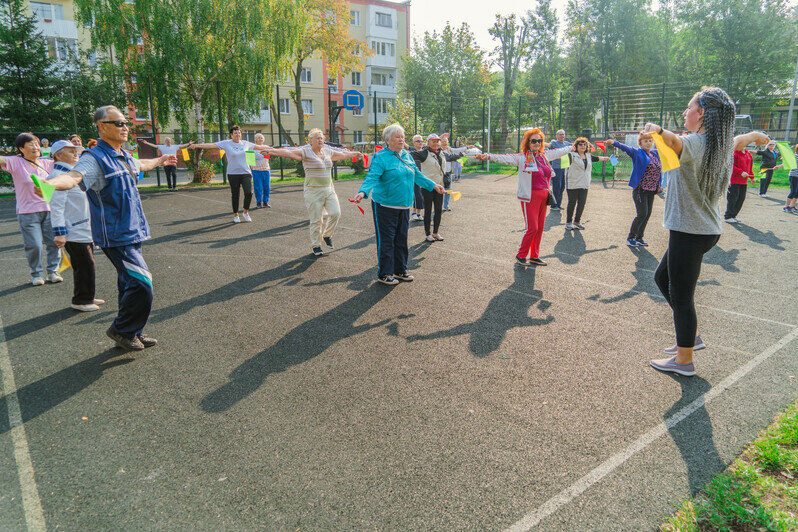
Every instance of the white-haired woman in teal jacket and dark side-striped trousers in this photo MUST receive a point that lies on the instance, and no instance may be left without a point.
(390, 182)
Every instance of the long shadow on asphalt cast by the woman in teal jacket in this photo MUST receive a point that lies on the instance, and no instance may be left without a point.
(302, 343)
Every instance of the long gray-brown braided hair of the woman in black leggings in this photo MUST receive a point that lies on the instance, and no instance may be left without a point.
(718, 125)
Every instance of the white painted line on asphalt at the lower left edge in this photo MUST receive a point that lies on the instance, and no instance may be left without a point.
(34, 515)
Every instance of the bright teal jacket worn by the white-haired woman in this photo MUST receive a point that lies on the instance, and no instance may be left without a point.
(391, 178)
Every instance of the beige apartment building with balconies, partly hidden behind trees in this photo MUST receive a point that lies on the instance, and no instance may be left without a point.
(382, 25)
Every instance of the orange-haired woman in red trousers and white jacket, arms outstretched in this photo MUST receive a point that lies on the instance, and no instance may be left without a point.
(534, 177)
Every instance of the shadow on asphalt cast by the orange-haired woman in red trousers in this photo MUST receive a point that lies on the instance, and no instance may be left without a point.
(507, 310)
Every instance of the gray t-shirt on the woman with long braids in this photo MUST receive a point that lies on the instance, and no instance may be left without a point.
(686, 208)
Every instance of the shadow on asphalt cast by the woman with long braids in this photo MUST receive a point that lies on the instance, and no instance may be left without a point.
(694, 435)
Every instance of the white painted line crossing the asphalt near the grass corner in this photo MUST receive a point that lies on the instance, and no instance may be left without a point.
(567, 495)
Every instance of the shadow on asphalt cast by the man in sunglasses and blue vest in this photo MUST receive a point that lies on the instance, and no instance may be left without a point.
(40, 396)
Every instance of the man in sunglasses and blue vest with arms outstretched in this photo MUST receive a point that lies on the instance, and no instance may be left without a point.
(108, 174)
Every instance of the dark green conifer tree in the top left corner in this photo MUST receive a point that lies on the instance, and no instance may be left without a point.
(27, 85)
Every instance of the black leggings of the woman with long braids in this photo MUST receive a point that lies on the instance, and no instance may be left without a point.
(676, 277)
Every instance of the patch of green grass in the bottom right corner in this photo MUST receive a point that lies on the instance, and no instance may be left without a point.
(759, 491)
